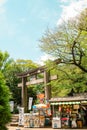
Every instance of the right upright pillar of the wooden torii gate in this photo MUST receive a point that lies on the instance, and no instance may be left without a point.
(47, 86)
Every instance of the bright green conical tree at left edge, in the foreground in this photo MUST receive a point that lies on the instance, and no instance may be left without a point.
(4, 103)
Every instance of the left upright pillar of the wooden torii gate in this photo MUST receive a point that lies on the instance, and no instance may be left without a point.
(24, 94)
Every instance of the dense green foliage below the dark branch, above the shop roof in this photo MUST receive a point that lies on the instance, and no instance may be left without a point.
(69, 78)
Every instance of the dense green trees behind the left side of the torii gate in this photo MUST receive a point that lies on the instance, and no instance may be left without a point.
(10, 69)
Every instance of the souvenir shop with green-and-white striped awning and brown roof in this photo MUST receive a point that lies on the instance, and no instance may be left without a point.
(69, 112)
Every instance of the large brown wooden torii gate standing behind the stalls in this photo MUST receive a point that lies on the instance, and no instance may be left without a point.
(46, 79)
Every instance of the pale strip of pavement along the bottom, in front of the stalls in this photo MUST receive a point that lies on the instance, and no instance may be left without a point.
(22, 128)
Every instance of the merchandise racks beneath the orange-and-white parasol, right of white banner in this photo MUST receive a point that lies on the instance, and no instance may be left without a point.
(36, 118)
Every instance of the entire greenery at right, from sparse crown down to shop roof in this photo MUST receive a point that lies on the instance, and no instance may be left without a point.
(67, 42)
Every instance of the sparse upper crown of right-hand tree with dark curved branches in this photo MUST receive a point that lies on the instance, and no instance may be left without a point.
(68, 42)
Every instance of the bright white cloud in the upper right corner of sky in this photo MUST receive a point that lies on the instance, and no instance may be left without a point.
(71, 10)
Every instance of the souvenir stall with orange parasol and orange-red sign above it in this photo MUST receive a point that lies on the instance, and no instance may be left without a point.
(39, 116)
